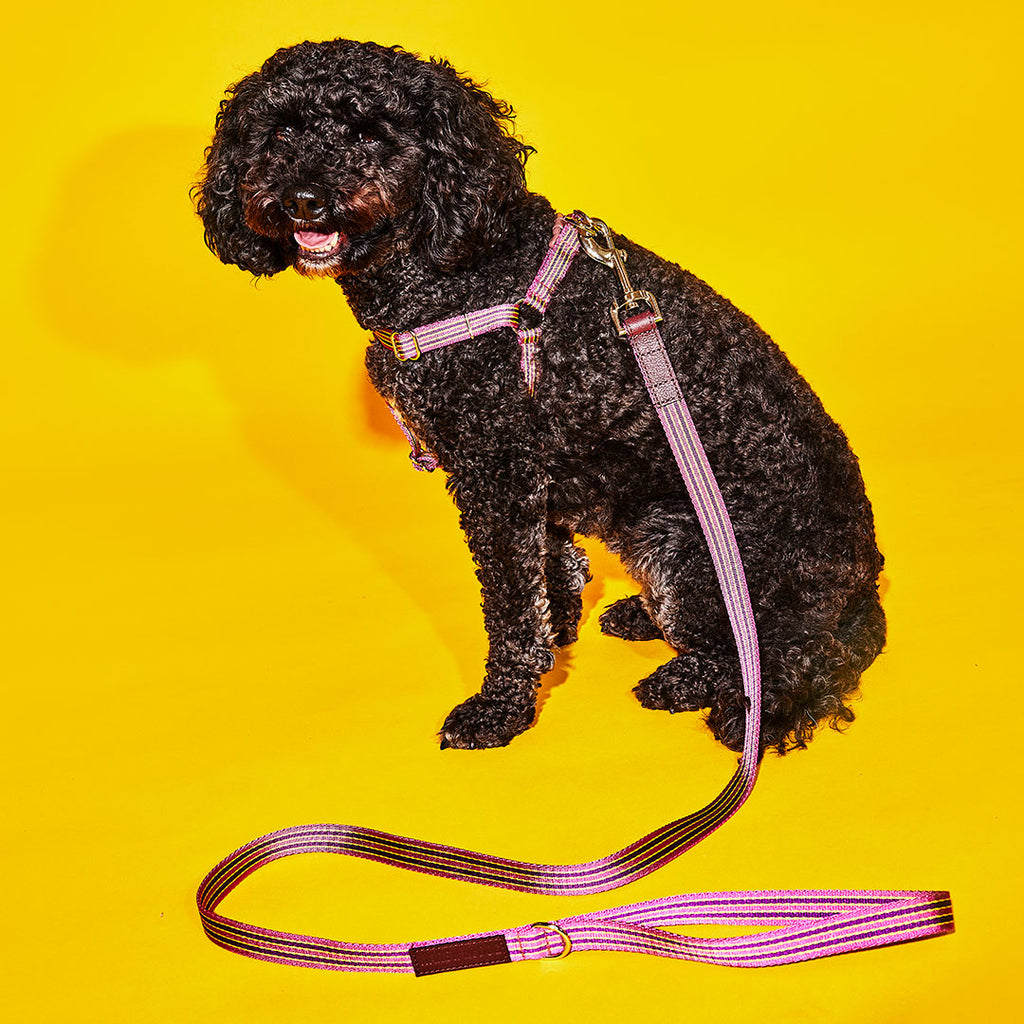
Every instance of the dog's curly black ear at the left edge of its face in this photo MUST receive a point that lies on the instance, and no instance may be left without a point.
(219, 196)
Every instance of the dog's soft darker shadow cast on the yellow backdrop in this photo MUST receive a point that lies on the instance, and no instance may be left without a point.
(147, 292)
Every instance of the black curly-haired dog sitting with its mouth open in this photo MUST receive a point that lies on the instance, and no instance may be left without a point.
(402, 180)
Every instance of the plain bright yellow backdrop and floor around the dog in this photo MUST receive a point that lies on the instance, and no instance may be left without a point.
(233, 607)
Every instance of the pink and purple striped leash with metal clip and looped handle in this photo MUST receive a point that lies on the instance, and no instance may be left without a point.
(805, 925)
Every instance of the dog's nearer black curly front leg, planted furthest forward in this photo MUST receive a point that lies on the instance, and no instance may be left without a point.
(503, 503)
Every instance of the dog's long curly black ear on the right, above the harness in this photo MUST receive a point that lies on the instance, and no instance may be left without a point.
(475, 168)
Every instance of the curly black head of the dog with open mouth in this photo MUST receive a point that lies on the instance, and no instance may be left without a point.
(336, 156)
